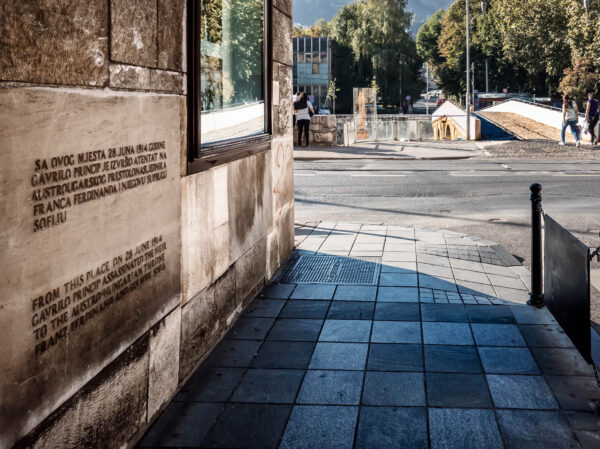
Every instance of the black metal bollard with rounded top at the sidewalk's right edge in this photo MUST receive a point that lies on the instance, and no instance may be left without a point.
(536, 298)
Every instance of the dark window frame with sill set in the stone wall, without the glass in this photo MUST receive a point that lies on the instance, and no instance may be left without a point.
(202, 157)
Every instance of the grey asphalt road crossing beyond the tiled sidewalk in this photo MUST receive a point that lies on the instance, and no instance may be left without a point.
(487, 198)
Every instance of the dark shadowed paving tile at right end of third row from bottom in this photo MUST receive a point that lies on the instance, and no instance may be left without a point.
(561, 362)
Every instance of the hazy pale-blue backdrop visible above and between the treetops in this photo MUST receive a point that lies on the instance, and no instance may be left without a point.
(306, 12)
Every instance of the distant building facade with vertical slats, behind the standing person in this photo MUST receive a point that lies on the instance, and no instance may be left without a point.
(312, 68)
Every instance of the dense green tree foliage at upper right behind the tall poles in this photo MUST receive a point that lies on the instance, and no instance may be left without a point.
(531, 45)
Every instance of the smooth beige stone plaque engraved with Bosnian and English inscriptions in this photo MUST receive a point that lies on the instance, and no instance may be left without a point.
(90, 225)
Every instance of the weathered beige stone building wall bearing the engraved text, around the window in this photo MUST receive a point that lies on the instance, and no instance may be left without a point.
(120, 272)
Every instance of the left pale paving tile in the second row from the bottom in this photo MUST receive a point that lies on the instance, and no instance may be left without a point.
(331, 387)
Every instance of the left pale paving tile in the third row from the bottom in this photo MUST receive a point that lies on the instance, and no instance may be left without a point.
(343, 356)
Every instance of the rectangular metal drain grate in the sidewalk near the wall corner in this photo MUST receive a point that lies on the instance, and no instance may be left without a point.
(334, 270)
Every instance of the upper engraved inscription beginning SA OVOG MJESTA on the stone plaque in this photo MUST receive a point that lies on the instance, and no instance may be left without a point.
(62, 182)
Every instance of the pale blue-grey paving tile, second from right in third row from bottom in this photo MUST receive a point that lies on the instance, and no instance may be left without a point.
(507, 361)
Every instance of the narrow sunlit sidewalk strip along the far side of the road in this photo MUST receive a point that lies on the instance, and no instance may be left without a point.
(426, 150)
